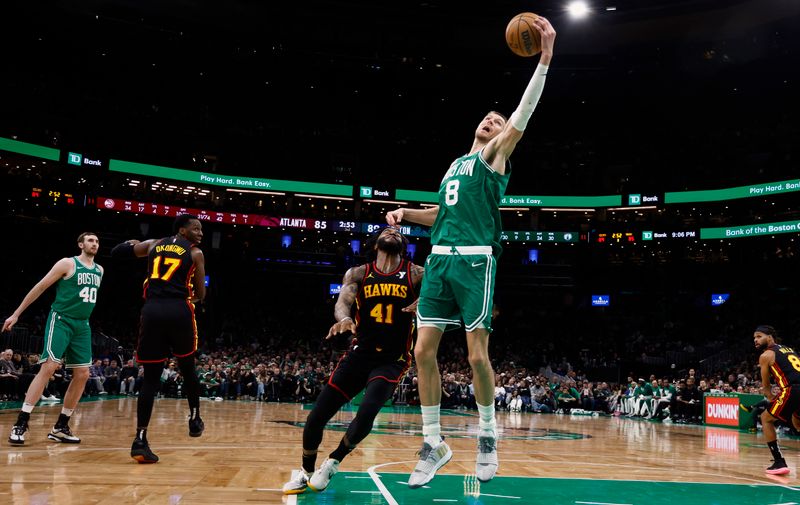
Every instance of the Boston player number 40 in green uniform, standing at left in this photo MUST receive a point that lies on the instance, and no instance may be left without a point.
(67, 334)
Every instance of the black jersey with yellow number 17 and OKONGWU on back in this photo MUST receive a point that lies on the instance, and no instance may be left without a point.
(170, 269)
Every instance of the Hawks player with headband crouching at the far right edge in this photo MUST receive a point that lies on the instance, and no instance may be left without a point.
(783, 364)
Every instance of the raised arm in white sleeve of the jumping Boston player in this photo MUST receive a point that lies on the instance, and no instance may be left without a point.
(500, 148)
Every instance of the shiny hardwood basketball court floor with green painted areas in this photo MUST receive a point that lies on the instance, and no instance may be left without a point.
(249, 450)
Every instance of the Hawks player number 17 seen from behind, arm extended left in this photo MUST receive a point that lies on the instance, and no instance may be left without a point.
(175, 282)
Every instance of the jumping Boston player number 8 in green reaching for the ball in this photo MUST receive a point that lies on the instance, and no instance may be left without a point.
(460, 272)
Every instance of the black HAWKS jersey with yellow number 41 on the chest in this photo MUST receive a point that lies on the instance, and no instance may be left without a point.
(383, 328)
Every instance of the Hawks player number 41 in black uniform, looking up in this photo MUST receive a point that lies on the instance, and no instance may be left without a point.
(383, 292)
